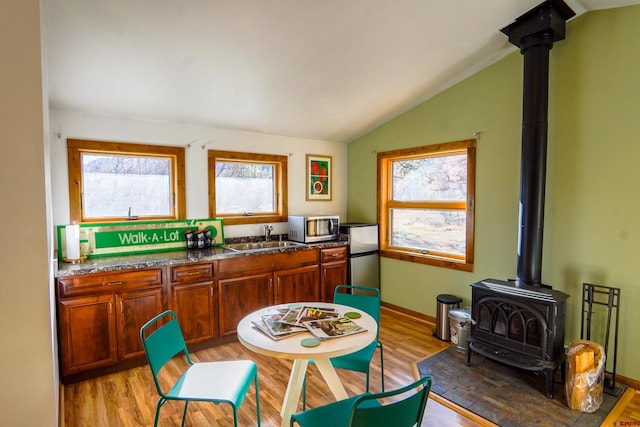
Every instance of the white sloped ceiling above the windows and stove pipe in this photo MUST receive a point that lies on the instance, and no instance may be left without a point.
(317, 69)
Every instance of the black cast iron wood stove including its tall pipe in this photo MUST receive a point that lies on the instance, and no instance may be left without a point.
(521, 323)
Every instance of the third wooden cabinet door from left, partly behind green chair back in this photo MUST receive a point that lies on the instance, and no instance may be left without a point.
(195, 305)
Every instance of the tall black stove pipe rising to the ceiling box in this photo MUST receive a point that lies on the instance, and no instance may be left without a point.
(534, 33)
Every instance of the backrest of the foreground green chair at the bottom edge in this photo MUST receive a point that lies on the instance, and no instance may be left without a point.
(403, 413)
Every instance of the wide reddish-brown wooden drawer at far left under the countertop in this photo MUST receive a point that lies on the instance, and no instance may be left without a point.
(108, 282)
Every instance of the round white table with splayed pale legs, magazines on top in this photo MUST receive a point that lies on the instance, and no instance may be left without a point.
(291, 348)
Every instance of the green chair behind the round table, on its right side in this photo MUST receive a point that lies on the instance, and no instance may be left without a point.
(368, 300)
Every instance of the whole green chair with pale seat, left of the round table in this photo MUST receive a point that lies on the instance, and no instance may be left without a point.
(217, 382)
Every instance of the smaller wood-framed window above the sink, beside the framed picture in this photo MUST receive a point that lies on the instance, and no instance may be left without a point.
(247, 188)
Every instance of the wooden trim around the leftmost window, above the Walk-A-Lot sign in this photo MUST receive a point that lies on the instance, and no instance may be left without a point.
(75, 147)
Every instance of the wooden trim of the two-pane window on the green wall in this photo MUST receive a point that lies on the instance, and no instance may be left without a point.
(385, 203)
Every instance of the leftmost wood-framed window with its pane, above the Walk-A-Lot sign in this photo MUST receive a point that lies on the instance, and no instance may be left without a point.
(111, 181)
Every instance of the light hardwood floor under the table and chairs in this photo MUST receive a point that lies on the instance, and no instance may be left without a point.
(129, 398)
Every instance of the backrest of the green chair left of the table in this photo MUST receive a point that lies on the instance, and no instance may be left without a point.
(163, 343)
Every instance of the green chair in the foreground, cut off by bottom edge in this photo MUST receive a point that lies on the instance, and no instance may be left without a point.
(366, 410)
